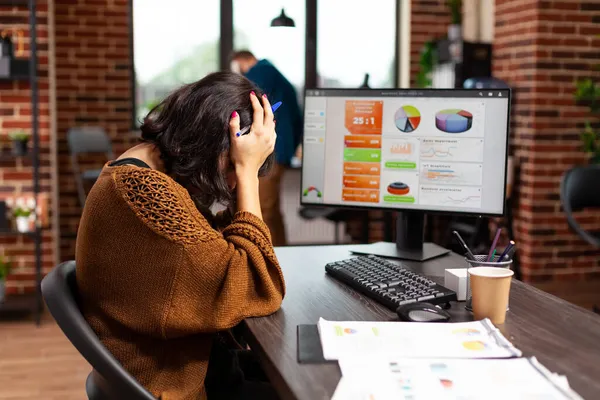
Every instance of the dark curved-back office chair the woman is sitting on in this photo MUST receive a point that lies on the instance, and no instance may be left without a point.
(108, 379)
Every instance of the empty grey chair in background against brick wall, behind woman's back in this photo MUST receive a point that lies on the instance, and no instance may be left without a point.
(87, 140)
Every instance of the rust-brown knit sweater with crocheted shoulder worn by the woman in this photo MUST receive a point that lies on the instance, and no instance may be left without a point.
(157, 281)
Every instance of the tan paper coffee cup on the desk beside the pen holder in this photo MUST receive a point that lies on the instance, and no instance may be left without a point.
(490, 289)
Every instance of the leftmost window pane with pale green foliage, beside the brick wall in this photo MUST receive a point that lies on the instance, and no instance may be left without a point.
(175, 42)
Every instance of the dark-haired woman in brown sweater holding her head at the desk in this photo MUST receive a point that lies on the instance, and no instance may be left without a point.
(158, 282)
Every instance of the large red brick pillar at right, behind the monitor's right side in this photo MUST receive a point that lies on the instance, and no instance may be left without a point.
(540, 48)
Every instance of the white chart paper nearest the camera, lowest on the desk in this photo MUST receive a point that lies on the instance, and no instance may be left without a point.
(452, 379)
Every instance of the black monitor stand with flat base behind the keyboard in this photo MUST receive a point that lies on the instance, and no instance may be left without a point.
(409, 241)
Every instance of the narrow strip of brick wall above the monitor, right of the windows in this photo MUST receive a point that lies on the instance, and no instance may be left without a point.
(429, 20)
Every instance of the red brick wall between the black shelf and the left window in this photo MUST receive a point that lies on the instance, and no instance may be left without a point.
(93, 88)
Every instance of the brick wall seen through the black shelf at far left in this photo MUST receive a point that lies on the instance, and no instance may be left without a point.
(16, 174)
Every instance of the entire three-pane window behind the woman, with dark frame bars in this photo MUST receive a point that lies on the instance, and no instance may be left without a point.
(177, 42)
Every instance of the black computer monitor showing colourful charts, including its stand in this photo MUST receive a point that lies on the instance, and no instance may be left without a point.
(415, 151)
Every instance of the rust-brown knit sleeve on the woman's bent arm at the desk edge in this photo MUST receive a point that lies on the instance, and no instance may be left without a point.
(226, 280)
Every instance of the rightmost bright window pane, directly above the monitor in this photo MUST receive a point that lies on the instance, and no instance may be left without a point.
(355, 38)
